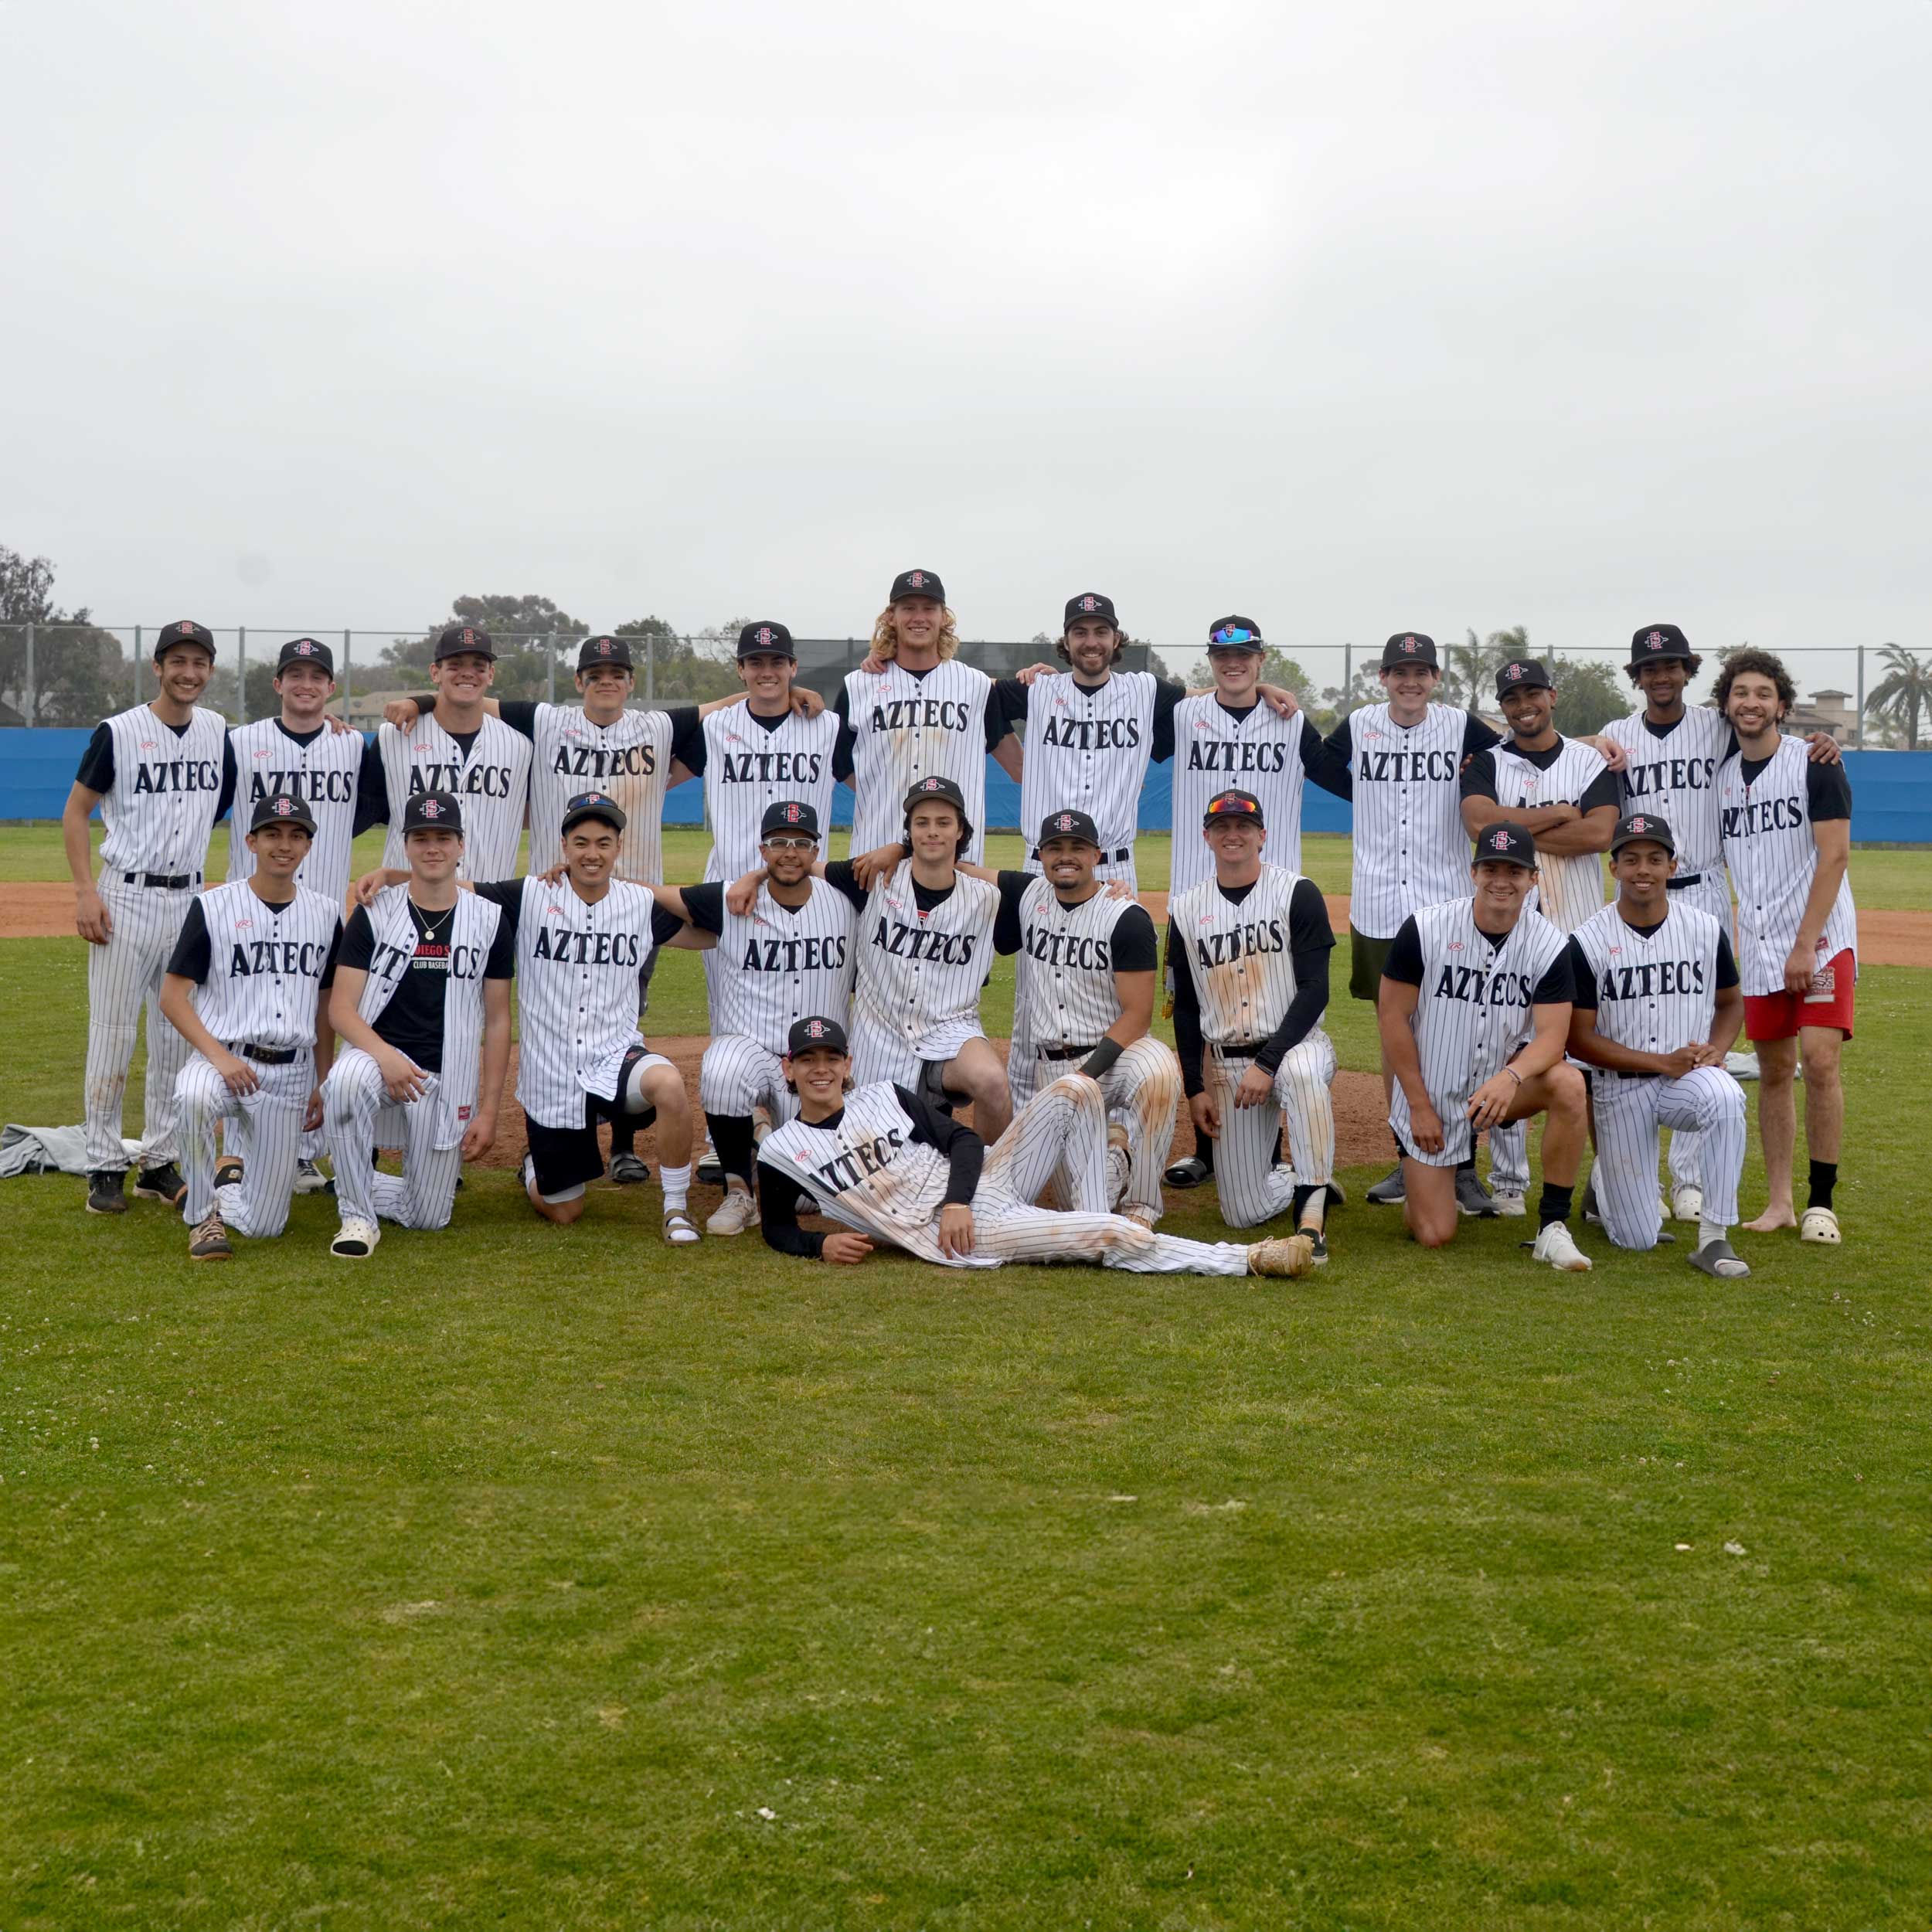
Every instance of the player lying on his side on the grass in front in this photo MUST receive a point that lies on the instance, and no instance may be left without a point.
(897, 1172)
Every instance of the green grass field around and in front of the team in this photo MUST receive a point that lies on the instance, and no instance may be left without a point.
(532, 1577)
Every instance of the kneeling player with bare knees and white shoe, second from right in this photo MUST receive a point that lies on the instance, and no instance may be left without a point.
(1475, 1015)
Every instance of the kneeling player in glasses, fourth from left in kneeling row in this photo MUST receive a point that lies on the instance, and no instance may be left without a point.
(787, 957)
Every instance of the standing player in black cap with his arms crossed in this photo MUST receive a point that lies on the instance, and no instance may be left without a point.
(1568, 797)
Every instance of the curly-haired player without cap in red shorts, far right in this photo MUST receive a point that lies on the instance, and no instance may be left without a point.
(1788, 841)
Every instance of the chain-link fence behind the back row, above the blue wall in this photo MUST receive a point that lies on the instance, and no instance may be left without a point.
(1873, 696)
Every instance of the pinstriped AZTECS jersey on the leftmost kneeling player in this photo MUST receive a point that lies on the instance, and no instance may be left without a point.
(266, 965)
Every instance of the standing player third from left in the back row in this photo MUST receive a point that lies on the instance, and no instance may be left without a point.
(461, 749)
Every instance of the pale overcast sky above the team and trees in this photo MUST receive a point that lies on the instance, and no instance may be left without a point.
(1344, 318)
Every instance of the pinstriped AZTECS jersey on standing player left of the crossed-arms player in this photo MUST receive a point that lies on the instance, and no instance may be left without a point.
(1409, 843)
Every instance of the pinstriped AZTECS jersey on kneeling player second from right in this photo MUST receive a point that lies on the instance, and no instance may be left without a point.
(1475, 1008)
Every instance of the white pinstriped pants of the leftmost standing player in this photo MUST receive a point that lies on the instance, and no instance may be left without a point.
(123, 979)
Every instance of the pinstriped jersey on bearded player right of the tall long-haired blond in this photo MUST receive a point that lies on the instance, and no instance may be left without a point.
(1087, 751)
